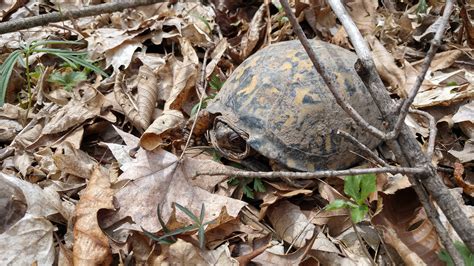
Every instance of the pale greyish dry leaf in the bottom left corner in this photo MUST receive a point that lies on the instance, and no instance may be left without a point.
(30, 239)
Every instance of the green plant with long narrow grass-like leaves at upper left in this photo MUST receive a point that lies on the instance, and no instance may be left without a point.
(73, 58)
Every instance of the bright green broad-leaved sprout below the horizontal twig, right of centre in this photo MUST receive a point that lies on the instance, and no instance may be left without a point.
(358, 187)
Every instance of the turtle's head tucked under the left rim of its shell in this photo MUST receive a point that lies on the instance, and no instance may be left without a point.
(229, 140)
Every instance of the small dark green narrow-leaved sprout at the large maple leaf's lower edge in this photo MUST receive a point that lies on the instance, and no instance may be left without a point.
(169, 236)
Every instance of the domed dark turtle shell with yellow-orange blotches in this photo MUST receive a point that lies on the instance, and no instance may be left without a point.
(277, 97)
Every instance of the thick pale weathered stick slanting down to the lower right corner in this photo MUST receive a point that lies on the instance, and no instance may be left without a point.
(409, 152)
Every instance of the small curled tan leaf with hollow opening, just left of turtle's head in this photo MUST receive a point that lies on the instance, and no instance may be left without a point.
(163, 130)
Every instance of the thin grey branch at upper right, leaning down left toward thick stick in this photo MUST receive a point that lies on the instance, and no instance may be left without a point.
(435, 43)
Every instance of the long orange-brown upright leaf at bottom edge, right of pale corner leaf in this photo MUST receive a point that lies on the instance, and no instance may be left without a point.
(91, 245)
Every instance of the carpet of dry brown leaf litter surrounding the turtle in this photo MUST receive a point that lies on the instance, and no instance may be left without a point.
(87, 165)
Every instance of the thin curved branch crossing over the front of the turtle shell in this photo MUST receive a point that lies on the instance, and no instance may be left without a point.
(329, 78)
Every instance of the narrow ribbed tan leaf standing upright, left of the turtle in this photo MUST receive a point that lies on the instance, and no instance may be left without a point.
(147, 94)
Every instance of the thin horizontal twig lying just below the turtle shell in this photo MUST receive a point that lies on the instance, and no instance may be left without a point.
(313, 175)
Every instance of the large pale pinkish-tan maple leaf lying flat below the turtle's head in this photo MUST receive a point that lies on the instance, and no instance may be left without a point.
(157, 180)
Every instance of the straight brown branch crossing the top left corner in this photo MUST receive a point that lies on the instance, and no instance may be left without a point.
(41, 20)
